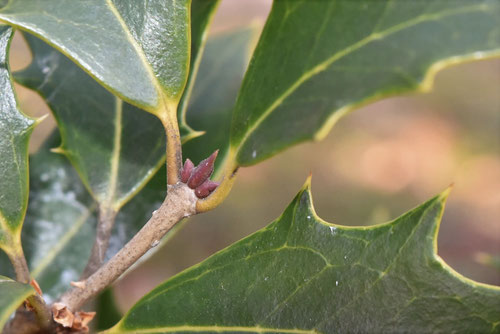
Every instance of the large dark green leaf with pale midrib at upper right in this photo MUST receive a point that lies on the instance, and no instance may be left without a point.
(317, 60)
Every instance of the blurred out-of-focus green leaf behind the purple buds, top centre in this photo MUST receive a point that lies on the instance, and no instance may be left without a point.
(214, 93)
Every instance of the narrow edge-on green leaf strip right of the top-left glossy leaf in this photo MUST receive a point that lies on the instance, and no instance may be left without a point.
(202, 12)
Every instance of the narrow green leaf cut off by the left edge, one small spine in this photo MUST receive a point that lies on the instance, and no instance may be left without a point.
(15, 130)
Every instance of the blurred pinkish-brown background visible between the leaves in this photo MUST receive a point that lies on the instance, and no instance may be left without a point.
(377, 163)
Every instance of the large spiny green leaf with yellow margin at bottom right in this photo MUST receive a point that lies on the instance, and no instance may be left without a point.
(304, 275)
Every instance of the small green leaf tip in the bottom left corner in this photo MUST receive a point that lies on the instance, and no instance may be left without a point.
(12, 294)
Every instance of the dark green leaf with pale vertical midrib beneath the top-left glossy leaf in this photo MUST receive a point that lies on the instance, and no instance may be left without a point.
(114, 146)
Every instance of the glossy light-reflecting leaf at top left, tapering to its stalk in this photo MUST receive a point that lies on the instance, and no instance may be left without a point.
(139, 50)
